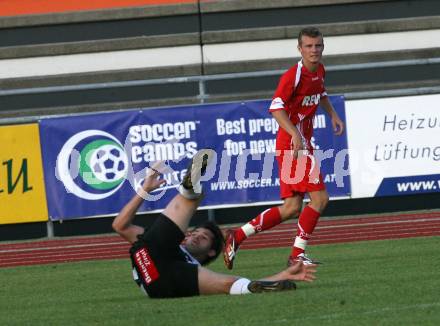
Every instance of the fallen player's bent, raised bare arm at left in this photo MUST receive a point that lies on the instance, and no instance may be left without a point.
(122, 224)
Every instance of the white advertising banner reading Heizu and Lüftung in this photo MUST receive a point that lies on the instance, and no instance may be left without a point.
(394, 145)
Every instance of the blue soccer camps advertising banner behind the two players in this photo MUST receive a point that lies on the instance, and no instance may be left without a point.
(94, 163)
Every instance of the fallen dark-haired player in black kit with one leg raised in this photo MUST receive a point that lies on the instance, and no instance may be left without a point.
(167, 260)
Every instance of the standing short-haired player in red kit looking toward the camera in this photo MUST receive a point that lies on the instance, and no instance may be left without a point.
(300, 91)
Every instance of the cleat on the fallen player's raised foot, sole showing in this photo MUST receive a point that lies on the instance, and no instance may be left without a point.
(196, 169)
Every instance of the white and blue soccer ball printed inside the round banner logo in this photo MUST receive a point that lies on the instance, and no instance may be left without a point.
(108, 163)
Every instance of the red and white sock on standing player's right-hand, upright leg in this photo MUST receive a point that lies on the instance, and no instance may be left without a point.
(306, 224)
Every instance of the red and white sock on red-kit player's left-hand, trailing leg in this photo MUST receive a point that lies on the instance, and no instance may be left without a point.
(265, 220)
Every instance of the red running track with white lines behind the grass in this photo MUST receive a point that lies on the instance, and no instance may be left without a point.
(328, 231)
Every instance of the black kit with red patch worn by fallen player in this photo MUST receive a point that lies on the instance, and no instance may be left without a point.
(160, 264)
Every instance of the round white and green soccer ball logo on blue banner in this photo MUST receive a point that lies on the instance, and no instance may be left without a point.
(92, 164)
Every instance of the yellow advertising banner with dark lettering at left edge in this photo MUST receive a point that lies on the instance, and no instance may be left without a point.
(22, 193)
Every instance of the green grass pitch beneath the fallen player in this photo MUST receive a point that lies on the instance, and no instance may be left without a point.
(393, 282)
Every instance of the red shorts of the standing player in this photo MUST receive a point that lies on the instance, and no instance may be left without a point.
(299, 175)
